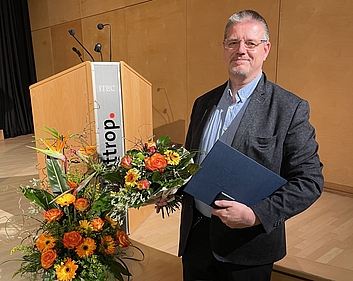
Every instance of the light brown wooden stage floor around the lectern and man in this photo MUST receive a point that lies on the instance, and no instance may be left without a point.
(320, 240)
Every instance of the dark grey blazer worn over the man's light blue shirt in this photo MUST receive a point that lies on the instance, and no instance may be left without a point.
(274, 131)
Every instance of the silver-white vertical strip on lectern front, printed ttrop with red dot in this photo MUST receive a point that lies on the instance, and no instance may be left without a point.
(108, 111)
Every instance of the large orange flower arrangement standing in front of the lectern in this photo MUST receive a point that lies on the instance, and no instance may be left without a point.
(79, 237)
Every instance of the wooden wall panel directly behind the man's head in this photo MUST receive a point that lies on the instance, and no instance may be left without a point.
(206, 21)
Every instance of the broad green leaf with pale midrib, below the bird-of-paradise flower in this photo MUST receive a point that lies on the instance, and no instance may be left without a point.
(57, 181)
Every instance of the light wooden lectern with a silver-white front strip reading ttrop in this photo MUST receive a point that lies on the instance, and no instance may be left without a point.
(109, 102)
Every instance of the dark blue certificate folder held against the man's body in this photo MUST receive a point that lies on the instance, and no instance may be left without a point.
(227, 170)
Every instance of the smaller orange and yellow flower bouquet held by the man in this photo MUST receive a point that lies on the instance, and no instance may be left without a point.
(149, 172)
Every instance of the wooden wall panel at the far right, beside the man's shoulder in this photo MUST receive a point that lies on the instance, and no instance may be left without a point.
(314, 61)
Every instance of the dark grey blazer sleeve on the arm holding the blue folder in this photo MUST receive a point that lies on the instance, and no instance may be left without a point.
(301, 167)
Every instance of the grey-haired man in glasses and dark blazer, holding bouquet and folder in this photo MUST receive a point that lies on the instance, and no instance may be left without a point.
(235, 241)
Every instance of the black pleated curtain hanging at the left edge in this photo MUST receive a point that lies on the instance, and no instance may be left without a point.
(17, 70)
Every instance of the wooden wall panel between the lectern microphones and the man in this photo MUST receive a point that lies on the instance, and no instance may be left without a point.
(156, 45)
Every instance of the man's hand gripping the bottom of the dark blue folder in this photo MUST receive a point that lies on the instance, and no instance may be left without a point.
(235, 214)
